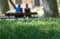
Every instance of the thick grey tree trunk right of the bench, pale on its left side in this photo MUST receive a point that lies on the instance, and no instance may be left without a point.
(50, 8)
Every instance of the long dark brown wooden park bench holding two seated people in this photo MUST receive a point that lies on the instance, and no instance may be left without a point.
(22, 14)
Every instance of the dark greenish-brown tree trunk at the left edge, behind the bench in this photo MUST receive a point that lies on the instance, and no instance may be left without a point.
(4, 6)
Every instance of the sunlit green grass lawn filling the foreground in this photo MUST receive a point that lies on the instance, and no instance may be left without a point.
(44, 28)
